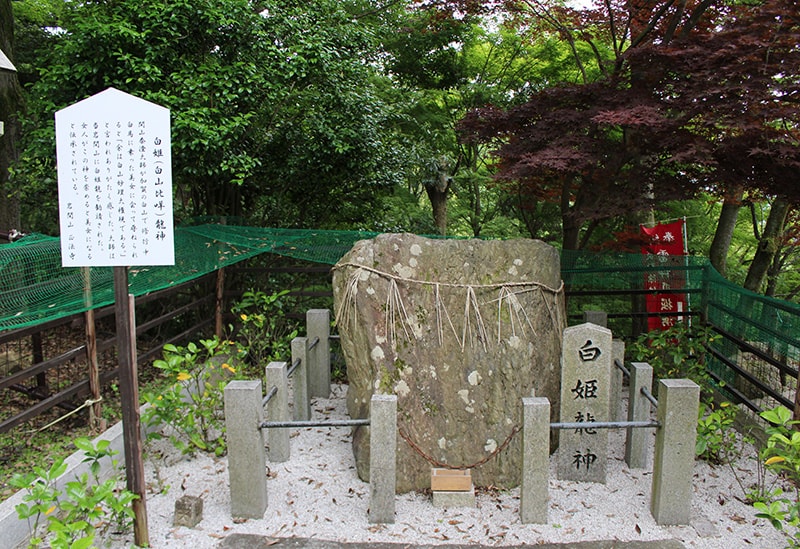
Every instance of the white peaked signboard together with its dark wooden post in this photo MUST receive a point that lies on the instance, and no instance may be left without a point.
(115, 209)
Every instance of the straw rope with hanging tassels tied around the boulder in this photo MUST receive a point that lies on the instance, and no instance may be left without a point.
(473, 326)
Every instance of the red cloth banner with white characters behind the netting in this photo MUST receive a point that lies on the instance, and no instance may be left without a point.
(662, 251)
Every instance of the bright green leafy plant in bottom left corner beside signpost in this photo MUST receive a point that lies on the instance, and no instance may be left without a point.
(73, 517)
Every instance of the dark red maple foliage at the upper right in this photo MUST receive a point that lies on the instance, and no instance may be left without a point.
(693, 89)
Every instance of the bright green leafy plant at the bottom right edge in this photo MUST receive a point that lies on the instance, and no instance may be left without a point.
(782, 456)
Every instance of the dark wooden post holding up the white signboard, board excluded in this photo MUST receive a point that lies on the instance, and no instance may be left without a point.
(129, 394)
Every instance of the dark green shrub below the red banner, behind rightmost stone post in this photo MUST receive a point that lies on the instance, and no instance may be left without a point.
(677, 353)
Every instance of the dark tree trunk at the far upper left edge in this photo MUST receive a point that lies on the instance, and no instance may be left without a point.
(10, 102)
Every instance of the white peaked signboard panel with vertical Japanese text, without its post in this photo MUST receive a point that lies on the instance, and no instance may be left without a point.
(115, 182)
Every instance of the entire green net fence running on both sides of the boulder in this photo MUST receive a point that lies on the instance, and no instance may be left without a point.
(34, 288)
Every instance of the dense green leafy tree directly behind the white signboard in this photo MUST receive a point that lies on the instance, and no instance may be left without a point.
(273, 111)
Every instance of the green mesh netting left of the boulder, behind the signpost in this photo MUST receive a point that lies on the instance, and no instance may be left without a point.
(35, 288)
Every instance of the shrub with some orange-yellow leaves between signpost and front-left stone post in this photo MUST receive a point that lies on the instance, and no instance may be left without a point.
(192, 401)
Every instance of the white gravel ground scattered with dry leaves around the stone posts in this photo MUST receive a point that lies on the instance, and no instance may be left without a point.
(317, 494)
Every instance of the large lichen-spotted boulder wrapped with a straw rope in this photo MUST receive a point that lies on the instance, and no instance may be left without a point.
(460, 331)
